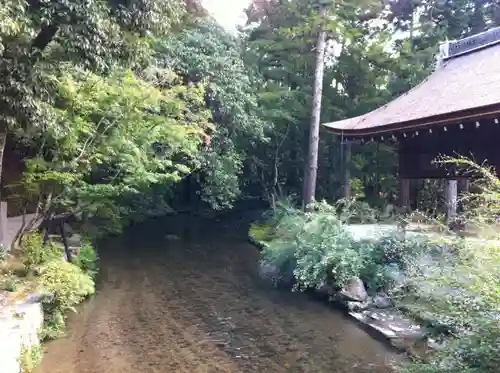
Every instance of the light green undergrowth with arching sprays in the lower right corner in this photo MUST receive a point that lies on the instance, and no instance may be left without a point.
(464, 293)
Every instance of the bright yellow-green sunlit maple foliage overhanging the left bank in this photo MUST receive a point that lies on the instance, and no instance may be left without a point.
(117, 134)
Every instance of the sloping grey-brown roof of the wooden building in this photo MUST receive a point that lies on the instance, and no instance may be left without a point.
(466, 83)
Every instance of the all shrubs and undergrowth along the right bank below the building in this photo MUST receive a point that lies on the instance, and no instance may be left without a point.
(450, 282)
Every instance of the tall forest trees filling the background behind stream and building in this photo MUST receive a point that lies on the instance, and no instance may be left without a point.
(126, 109)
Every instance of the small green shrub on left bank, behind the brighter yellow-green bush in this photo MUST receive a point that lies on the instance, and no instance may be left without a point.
(33, 253)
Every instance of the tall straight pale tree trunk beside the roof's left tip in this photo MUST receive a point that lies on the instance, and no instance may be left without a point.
(312, 159)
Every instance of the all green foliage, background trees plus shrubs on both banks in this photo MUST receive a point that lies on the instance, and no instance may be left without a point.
(123, 110)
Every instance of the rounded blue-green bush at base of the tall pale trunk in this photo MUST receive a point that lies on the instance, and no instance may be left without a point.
(315, 246)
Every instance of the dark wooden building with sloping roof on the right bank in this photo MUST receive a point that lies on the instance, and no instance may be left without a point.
(456, 110)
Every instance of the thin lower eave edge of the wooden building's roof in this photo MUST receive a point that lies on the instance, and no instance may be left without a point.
(437, 120)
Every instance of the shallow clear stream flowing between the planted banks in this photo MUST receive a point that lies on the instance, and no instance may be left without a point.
(194, 304)
